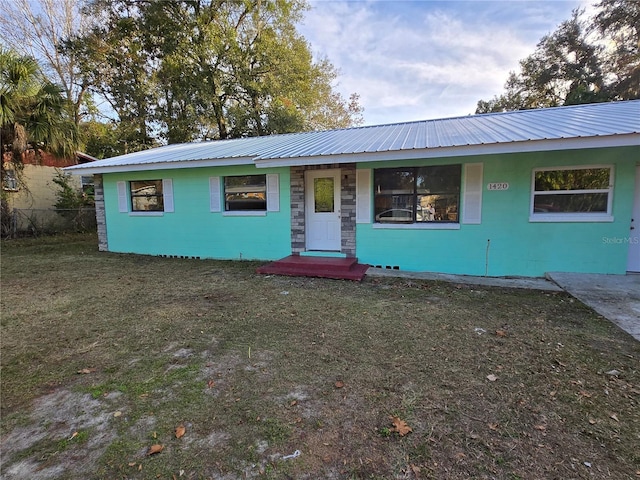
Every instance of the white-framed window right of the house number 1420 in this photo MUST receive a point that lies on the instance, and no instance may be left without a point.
(580, 192)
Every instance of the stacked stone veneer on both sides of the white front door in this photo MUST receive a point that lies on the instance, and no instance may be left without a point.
(347, 208)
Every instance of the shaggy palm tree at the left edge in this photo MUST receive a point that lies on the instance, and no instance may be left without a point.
(33, 111)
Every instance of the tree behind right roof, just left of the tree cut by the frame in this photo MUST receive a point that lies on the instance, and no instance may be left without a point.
(565, 69)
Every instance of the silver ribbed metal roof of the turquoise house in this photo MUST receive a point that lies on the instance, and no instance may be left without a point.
(578, 121)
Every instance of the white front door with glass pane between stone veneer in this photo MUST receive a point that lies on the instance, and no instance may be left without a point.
(322, 207)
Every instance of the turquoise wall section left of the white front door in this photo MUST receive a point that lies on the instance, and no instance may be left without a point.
(192, 230)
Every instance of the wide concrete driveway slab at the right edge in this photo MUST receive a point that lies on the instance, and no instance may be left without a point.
(615, 297)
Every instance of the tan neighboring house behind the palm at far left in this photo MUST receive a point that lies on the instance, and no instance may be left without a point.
(35, 189)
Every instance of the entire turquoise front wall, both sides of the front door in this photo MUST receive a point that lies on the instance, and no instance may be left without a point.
(506, 243)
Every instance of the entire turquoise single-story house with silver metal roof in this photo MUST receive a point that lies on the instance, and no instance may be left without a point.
(507, 194)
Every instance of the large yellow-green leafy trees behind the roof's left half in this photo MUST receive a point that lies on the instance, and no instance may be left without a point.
(190, 70)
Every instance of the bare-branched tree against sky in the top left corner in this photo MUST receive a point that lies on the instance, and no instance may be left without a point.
(38, 29)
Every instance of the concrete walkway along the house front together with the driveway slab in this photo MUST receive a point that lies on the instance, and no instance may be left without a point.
(615, 297)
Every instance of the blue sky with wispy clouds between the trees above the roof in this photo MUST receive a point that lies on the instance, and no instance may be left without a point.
(423, 59)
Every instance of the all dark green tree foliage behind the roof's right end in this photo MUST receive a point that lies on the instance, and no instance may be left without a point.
(586, 60)
